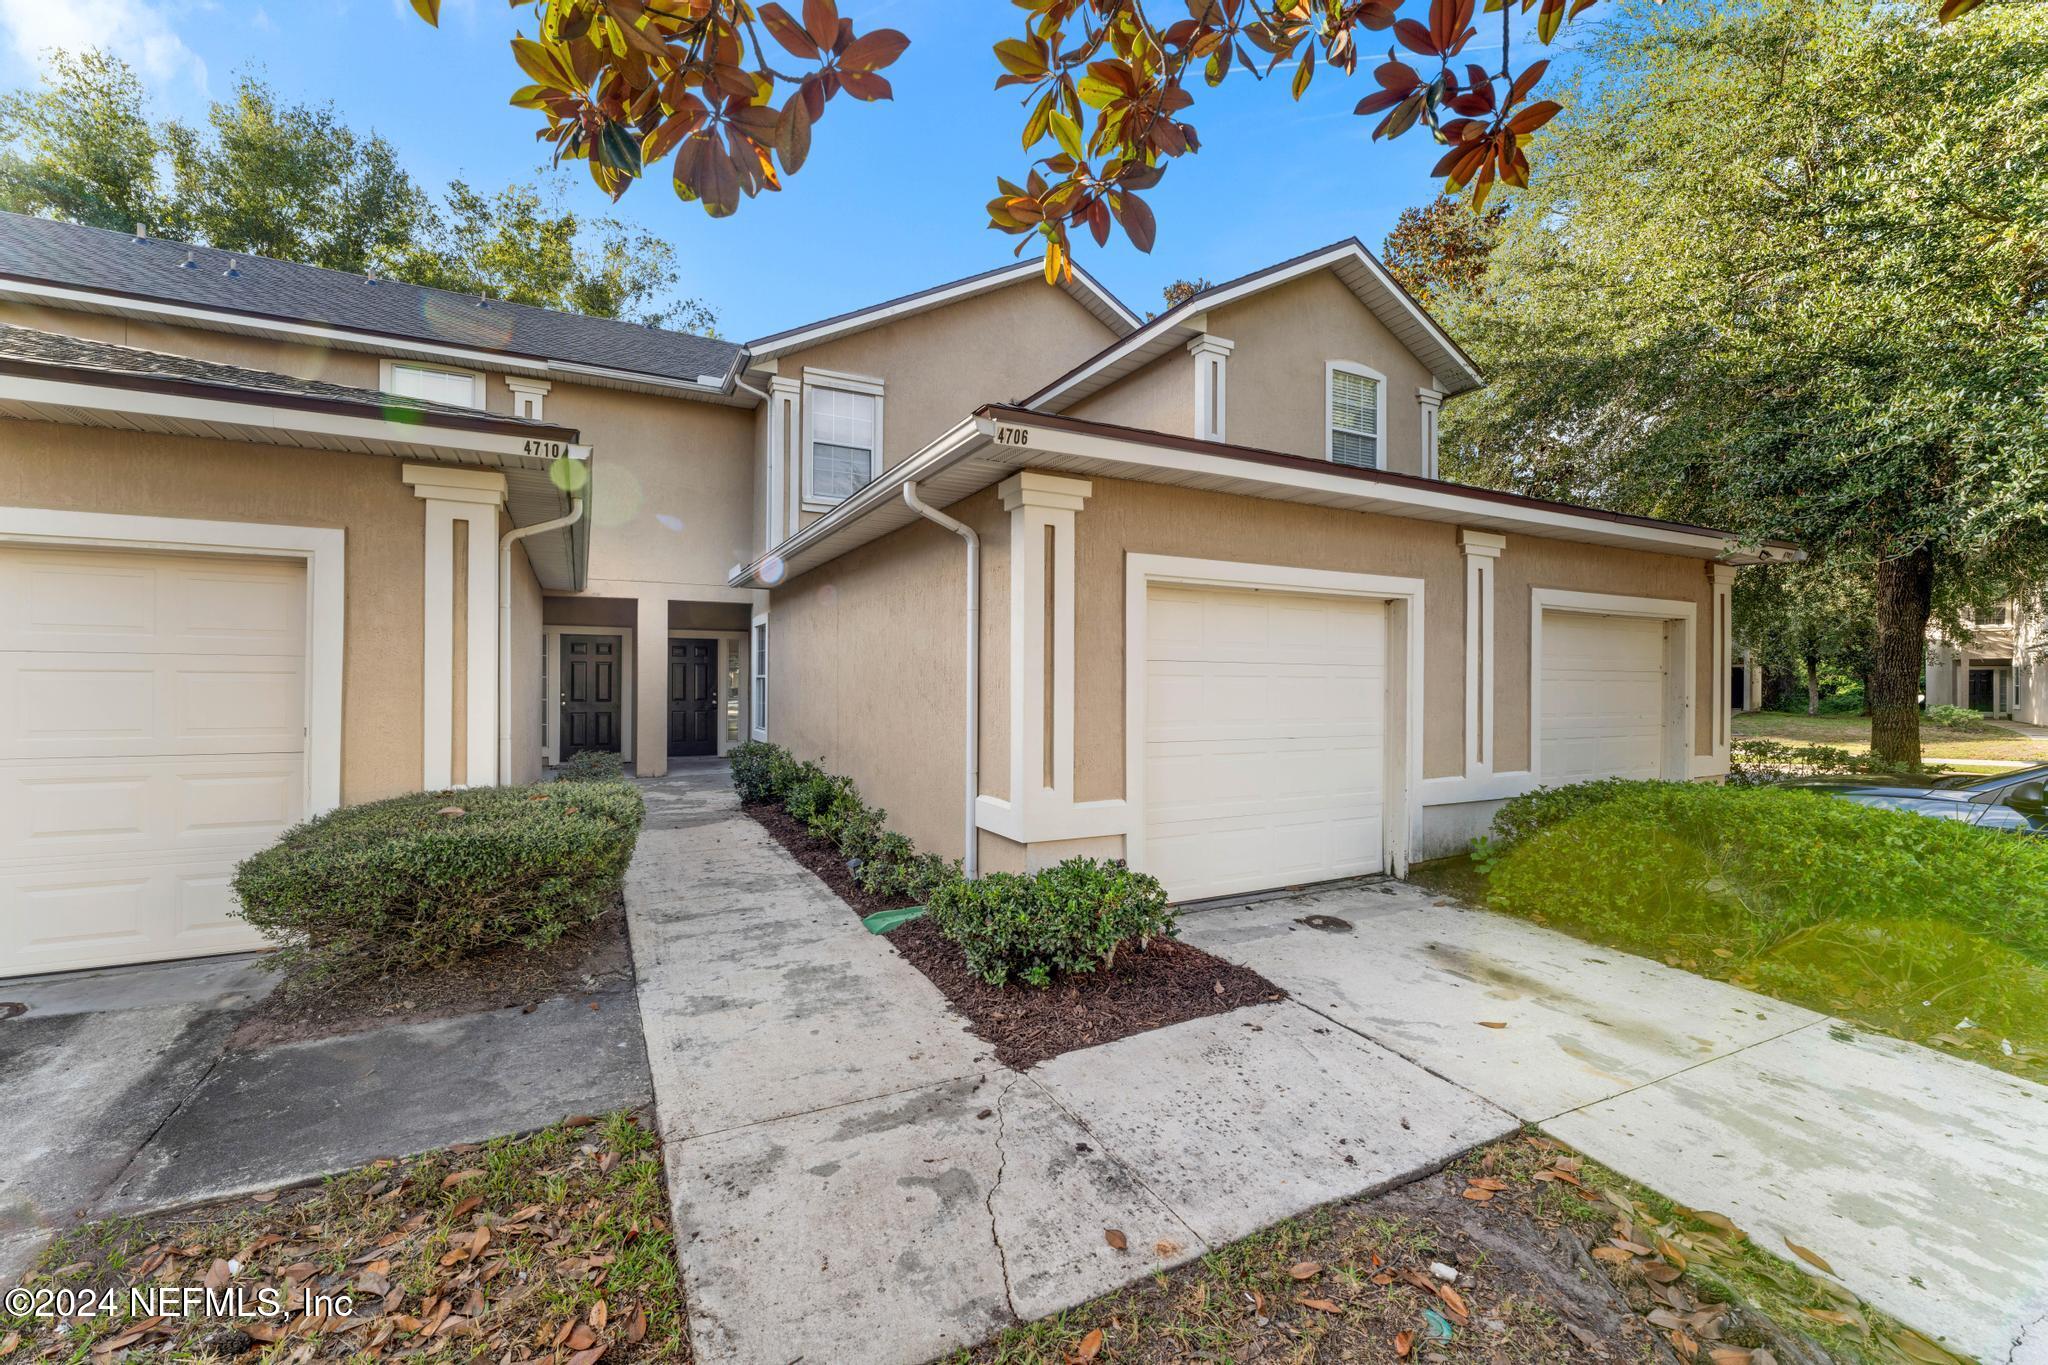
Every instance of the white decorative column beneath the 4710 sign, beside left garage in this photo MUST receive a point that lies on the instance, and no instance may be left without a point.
(468, 496)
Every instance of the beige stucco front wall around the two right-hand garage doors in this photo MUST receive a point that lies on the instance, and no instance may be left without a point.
(1148, 519)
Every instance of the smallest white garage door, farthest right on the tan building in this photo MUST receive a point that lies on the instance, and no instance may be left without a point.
(1603, 697)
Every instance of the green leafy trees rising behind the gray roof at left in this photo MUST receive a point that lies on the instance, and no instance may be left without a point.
(296, 183)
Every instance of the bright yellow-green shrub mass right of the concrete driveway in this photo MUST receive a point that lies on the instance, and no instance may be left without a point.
(1695, 867)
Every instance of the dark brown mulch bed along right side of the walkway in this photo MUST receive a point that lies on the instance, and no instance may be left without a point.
(1144, 992)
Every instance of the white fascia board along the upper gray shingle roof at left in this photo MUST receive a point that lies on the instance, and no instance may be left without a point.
(316, 335)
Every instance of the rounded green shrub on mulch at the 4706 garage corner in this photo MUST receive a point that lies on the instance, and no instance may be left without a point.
(1072, 918)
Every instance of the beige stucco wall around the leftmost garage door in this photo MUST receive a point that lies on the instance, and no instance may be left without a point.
(46, 466)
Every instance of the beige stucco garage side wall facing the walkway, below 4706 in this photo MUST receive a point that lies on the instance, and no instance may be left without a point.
(867, 670)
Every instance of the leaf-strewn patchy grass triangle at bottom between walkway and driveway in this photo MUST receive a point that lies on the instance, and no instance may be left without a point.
(1553, 1258)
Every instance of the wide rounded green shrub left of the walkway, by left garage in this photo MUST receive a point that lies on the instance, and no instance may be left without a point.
(421, 881)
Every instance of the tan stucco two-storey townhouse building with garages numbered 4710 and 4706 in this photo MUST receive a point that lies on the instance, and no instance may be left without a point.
(278, 539)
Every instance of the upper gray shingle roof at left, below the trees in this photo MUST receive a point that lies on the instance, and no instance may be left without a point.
(105, 261)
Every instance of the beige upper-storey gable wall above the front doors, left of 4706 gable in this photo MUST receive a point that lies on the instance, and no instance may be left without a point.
(943, 365)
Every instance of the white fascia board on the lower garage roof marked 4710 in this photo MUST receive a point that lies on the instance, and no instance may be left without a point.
(261, 416)
